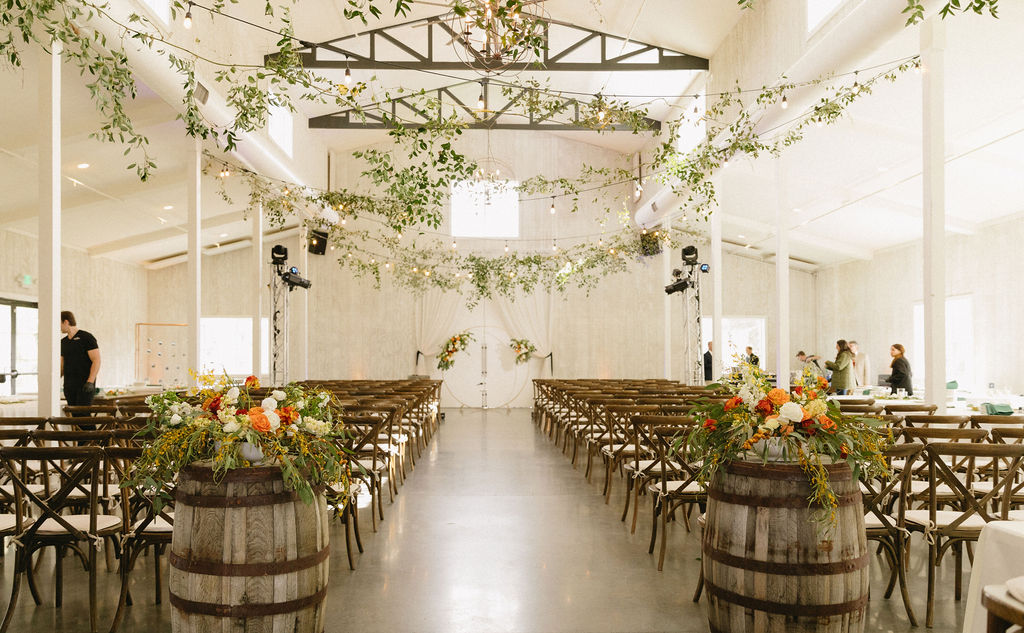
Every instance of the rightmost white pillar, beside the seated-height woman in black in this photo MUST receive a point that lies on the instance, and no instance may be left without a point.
(933, 105)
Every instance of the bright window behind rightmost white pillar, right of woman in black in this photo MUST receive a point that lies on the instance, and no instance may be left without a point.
(960, 343)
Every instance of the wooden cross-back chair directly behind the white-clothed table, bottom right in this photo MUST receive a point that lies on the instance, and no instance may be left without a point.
(949, 524)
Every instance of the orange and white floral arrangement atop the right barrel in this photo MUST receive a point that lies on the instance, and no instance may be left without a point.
(765, 424)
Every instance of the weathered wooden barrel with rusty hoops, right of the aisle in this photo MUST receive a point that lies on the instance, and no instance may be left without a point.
(766, 565)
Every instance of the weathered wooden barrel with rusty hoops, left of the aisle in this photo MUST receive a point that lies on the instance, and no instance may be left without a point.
(247, 555)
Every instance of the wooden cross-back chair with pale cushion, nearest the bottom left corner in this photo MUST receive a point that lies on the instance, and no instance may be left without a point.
(41, 521)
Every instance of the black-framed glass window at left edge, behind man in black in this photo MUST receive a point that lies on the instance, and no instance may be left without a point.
(19, 348)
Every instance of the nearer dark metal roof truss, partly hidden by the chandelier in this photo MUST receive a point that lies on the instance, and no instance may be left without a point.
(429, 45)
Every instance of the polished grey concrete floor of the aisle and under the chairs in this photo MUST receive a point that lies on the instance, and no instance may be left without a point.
(494, 532)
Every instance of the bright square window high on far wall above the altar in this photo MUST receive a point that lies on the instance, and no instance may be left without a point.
(486, 209)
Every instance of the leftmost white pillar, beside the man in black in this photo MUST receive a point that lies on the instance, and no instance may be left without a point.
(50, 233)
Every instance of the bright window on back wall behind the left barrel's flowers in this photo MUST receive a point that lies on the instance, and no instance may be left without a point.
(226, 345)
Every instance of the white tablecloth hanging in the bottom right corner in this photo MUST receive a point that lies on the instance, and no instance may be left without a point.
(999, 557)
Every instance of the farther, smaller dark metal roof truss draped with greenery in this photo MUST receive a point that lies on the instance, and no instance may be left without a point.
(497, 114)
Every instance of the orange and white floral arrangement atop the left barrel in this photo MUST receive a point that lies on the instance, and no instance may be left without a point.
(232, 427)
